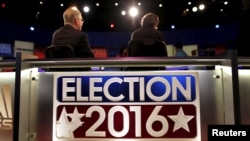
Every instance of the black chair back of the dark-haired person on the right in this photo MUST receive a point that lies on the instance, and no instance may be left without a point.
(147, 48)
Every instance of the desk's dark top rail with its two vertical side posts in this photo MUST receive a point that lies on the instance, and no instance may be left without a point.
(231, 60)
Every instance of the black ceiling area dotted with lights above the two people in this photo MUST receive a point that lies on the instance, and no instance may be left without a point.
(49, 14)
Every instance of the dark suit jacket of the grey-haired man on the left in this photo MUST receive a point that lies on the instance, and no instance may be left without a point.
(77, 39)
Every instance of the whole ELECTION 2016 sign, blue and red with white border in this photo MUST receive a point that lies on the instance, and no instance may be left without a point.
(138, 106)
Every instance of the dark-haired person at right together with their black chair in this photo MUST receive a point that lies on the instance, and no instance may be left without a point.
(147, 41)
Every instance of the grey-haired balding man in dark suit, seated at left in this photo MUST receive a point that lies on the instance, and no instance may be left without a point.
(71, 34)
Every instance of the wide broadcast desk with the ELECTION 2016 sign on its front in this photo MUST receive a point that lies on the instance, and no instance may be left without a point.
(28, 96)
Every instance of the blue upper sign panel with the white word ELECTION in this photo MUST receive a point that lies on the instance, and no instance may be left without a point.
(126, 89)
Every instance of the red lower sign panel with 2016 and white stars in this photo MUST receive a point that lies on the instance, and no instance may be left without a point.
(126, 121)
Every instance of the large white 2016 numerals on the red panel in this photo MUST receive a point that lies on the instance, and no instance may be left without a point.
(153, 117)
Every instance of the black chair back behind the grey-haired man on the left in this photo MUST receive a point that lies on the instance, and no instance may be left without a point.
(59, 51)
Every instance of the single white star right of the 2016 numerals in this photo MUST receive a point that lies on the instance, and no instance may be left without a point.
(181, 120)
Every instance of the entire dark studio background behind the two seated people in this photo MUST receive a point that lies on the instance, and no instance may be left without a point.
(16, 18)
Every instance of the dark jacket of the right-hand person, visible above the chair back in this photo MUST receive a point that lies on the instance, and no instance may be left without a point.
(147, 33)
